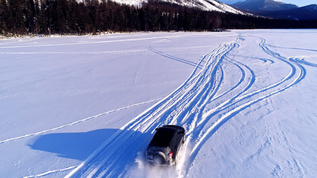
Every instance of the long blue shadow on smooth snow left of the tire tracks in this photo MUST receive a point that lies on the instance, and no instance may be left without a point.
(73, 145)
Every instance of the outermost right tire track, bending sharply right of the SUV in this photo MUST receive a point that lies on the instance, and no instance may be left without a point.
(238, 108)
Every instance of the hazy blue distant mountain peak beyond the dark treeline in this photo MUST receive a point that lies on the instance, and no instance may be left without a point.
(263, 5)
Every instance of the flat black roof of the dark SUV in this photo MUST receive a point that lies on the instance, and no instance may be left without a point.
(162, 137)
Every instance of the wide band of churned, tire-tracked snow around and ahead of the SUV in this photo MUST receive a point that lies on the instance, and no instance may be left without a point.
(211, 96)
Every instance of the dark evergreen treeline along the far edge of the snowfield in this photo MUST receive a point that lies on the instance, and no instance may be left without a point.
(22, 17)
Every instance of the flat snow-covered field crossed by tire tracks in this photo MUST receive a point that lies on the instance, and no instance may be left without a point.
(87, 106)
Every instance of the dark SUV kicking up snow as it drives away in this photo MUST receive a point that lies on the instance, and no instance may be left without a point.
(165, 145)
